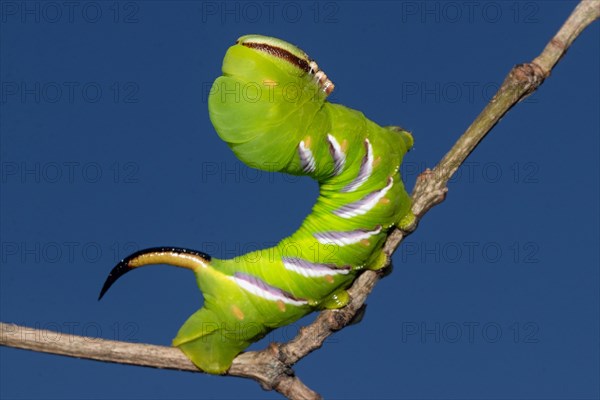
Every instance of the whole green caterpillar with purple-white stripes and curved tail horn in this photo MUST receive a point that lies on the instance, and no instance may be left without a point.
(270, 107)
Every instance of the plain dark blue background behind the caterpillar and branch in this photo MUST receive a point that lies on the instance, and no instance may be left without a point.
(106, 147)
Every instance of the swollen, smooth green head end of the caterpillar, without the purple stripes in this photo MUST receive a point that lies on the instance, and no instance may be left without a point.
(266, 99)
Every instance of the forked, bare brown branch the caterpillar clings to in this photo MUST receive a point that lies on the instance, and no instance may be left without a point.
(272, 367)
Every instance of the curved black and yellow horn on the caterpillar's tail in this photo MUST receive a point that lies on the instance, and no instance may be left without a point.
(176, 256)
